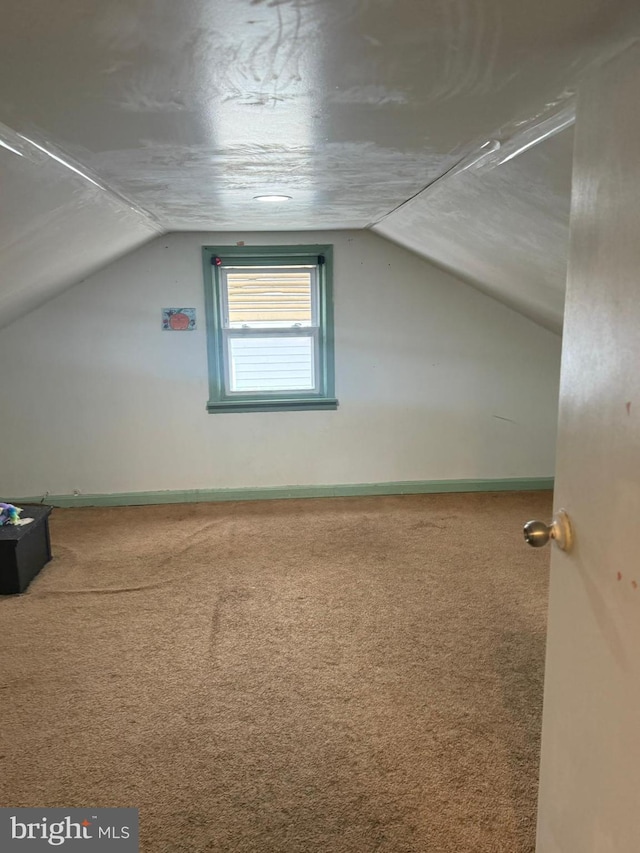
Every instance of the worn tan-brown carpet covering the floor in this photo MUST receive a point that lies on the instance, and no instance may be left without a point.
(309, 676)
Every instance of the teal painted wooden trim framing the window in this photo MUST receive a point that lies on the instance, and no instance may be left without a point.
(221, 401)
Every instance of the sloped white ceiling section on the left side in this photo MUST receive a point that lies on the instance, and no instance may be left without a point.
(55, 228)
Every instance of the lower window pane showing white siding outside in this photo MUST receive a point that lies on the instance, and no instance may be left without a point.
(271, 364)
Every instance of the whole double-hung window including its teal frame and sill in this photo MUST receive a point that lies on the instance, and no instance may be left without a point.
(269, 328)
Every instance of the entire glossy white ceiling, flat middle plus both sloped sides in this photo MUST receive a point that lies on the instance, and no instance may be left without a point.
(128, 118)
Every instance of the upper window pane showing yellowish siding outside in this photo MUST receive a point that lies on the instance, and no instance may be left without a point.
(269, 298)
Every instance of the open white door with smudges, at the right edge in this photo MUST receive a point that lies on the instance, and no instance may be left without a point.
(590, 770)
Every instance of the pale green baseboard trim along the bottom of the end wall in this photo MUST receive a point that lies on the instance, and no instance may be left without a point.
(409, 487)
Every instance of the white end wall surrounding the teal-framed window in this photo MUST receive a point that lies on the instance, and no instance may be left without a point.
(435, 381)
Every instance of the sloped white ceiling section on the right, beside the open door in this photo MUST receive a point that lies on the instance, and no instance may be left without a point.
(504, 230)
